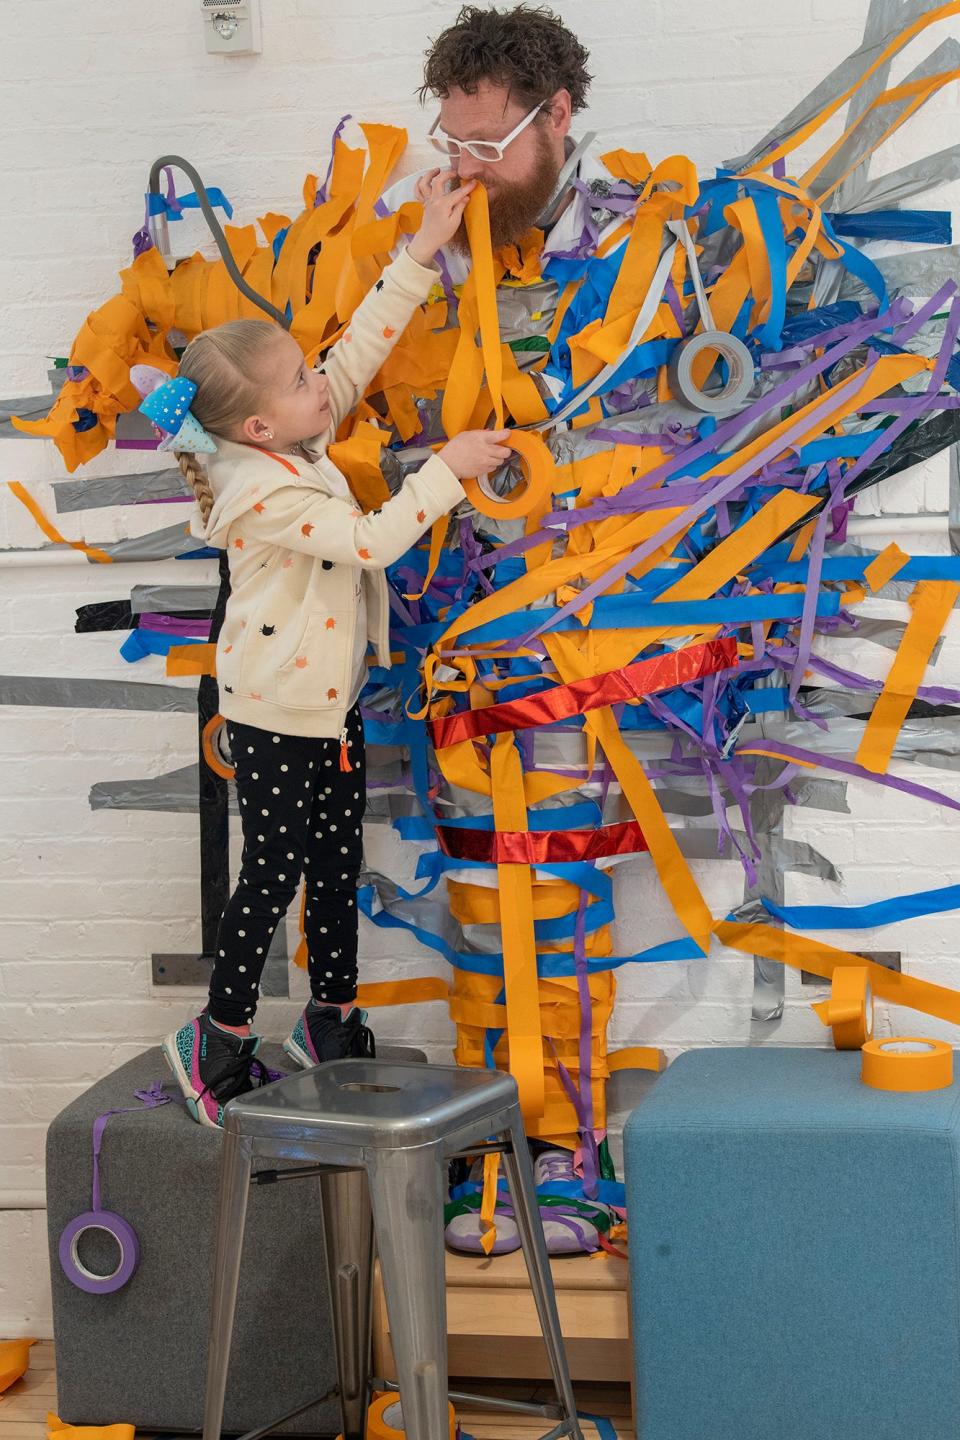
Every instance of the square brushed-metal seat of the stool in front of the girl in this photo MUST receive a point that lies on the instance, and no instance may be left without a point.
(371, 1104)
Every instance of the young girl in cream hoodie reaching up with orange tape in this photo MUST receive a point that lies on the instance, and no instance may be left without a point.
(309, 593)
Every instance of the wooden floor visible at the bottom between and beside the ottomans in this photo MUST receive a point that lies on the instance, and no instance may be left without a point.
(25, 1408)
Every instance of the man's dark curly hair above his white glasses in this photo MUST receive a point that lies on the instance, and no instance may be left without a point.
(529, 50)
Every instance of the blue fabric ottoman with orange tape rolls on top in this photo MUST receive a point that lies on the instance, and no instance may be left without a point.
(795, 1252)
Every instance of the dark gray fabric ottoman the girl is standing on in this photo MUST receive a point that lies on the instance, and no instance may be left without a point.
(139, 1354)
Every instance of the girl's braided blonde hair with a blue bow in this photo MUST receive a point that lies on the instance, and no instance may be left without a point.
(227, 366)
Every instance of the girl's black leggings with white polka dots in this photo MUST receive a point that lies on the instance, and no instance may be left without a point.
(302, 816)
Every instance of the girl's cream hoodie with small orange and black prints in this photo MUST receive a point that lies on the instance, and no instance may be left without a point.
(303, 557)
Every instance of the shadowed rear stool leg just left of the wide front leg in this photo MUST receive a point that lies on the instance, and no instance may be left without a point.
(349, 1235)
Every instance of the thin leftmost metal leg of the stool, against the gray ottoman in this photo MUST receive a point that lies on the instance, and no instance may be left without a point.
(235, 1182)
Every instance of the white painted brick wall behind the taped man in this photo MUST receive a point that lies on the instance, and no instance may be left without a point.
(96, 93)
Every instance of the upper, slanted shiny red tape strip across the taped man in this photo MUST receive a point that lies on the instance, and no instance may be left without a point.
(646, 678)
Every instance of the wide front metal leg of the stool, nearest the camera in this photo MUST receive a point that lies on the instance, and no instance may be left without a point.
(408, 1190)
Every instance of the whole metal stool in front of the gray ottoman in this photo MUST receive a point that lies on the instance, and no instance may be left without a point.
(399, 1124)
